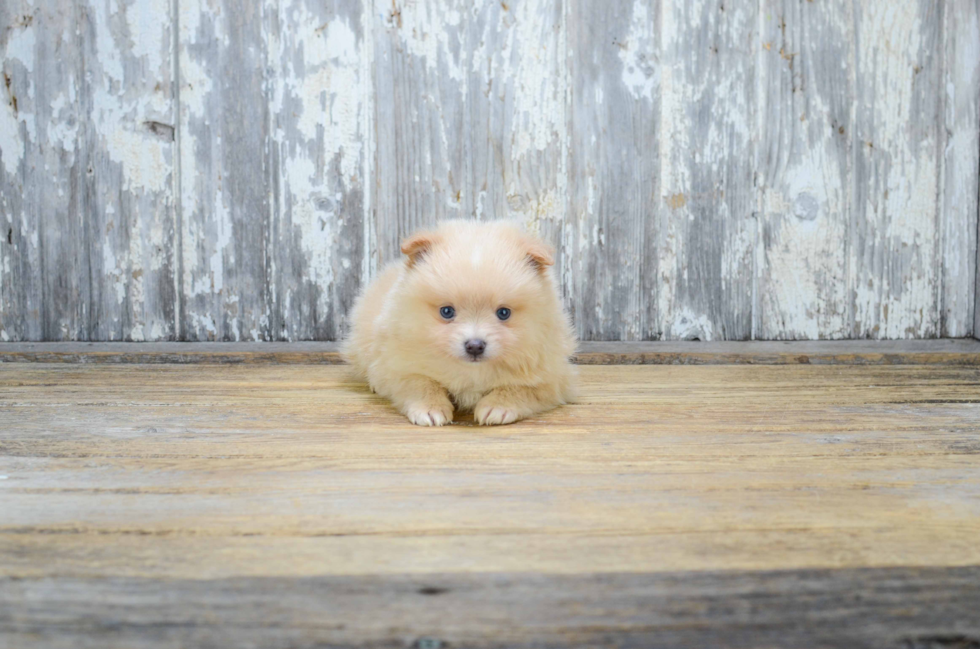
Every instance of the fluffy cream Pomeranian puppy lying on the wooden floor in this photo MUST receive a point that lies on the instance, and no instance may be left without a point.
(469, 320)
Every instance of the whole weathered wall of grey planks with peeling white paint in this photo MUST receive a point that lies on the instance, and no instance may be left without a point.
(236, 170)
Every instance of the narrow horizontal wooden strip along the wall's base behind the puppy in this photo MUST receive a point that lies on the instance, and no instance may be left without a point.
(964, 352)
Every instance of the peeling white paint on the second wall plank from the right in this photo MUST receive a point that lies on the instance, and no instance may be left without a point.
(901, 209)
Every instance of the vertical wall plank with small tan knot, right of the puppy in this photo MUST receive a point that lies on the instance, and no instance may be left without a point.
(707, 232)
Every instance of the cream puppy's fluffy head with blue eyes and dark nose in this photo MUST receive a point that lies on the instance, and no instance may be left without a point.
(478, 293)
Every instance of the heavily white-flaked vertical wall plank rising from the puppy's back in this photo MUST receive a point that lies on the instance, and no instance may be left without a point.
(321, 155)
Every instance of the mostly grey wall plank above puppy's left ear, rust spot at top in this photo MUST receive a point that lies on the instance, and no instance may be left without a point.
(418, 102)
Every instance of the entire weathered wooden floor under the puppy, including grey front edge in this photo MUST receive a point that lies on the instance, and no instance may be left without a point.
(677, 506)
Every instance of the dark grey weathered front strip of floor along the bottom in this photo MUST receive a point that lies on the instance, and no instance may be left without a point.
(891, 608)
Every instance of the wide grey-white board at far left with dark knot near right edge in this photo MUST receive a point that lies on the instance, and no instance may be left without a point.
(88, 159)
